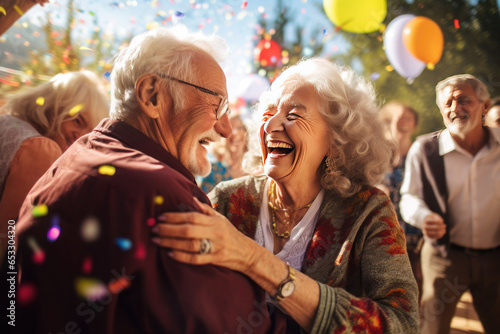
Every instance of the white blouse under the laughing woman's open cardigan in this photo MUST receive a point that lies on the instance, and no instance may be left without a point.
(295, 249)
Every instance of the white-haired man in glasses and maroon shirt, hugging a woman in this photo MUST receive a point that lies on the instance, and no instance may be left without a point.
(88, 262)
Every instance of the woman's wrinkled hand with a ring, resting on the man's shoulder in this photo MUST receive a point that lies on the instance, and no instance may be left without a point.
(181, 232)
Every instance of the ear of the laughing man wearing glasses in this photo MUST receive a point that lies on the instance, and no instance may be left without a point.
(147, 92)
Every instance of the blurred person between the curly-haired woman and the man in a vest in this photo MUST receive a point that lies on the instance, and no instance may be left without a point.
(401, 122)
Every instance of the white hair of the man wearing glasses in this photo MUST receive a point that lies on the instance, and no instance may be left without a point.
(168, 51)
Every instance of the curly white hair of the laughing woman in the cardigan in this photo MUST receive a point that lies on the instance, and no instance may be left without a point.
(347, 102)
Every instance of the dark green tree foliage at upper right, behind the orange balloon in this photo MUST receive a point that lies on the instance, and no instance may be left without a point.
(472, 48)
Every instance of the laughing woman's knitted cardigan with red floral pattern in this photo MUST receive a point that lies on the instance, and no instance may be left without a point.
(357, 255)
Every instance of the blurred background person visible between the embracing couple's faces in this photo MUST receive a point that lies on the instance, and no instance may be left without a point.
(227, 156)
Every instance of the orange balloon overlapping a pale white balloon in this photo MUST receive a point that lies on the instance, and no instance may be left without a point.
(424, 39)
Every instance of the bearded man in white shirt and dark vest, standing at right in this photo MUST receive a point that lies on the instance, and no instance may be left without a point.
(451, 190)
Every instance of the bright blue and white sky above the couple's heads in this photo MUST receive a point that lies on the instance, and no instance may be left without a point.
(234, 20)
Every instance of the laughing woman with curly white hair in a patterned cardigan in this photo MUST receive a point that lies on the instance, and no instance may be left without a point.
(313, 232)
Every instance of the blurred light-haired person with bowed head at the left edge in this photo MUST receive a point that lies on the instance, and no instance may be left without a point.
(36, 127)
